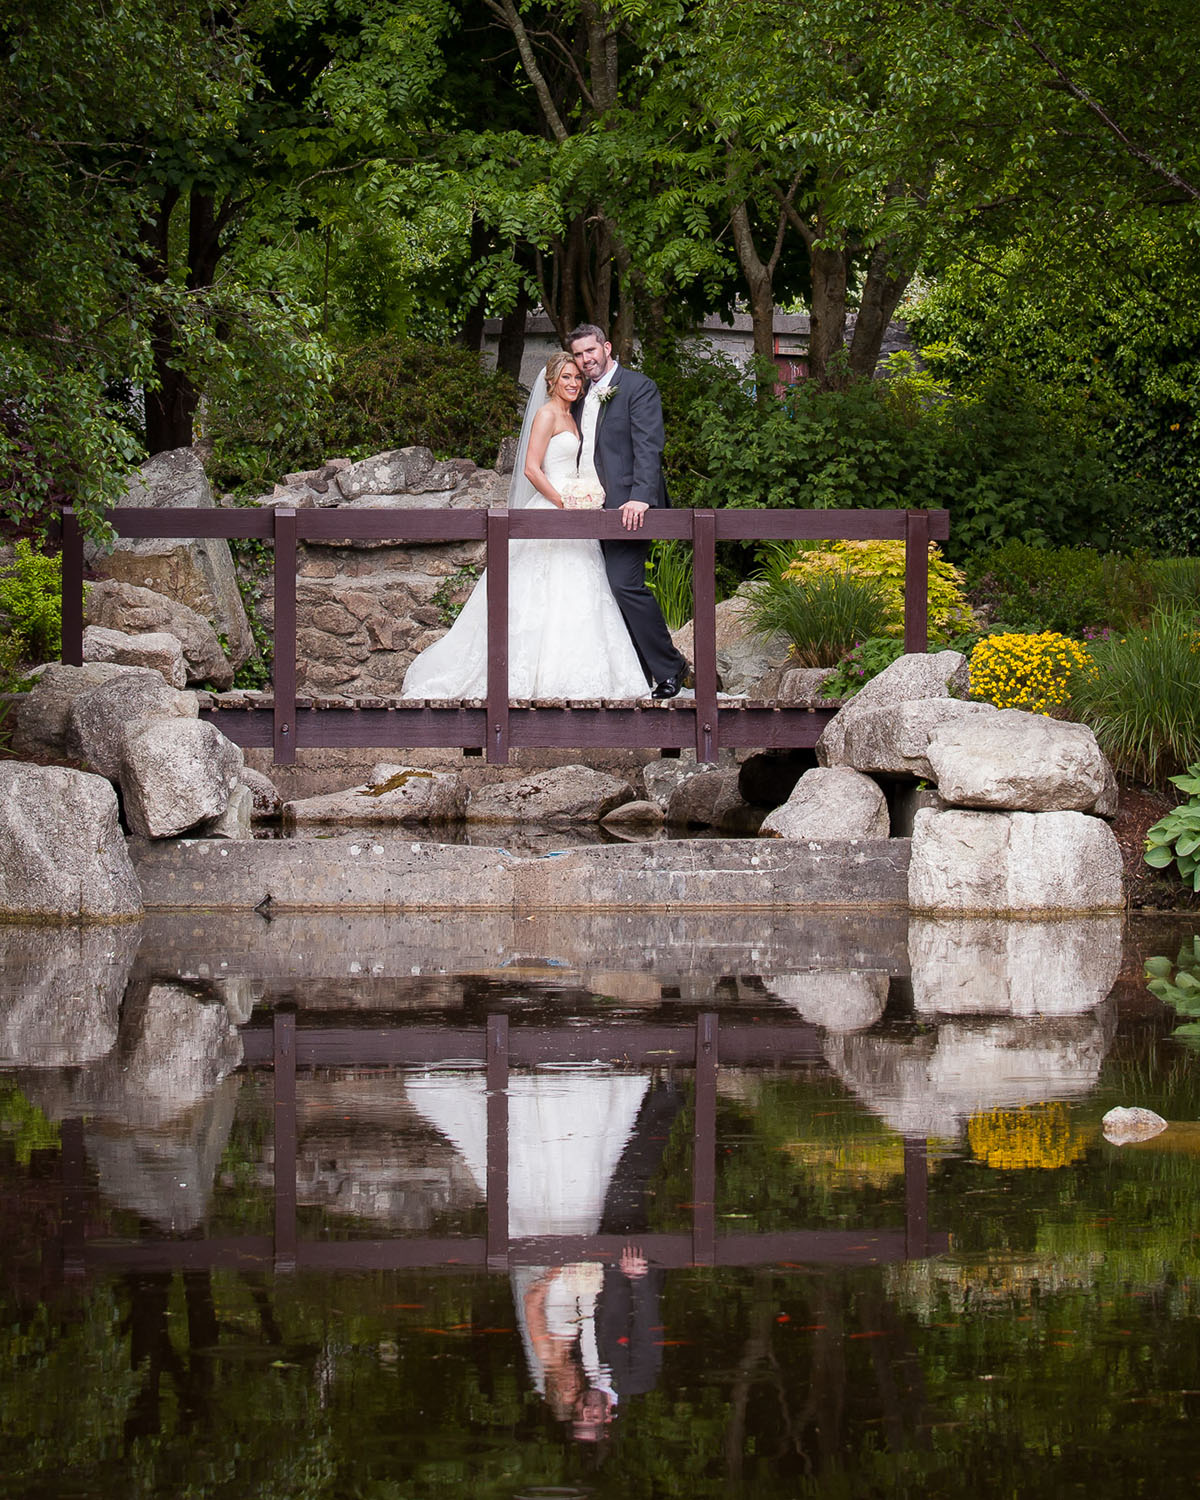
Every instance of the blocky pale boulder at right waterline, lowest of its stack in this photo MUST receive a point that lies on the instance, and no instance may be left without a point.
(980, 863)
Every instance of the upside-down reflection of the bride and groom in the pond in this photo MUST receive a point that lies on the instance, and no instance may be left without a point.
(583, 1147)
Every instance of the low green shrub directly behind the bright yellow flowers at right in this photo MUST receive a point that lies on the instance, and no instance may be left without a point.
(1067, 590)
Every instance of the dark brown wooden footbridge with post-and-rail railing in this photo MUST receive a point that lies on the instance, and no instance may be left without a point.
(290, 721)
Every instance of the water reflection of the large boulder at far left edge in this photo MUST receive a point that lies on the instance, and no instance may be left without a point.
(61, 992)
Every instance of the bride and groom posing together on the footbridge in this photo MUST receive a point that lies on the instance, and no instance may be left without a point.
(581, 619)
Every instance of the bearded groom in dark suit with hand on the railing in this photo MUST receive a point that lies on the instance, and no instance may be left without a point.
(622, 425)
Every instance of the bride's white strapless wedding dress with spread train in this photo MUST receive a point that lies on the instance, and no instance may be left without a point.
(566, 635)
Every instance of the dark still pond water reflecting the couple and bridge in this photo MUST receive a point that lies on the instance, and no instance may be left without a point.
(500, 1207)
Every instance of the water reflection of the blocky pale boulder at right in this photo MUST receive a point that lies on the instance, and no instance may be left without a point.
(995, 967)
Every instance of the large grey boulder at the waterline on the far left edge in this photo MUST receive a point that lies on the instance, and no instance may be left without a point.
(62, 854)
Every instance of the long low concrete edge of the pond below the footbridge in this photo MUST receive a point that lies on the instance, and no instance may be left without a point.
(373, 872)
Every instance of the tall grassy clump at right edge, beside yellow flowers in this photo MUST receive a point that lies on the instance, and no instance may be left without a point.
(1144, 698)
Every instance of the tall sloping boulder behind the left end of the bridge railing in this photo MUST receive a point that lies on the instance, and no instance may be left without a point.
(197, 572)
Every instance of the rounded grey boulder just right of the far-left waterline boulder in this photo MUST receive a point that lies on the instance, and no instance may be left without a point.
(176, 773)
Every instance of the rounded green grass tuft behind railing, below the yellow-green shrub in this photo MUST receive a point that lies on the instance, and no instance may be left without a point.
(823, 614)
